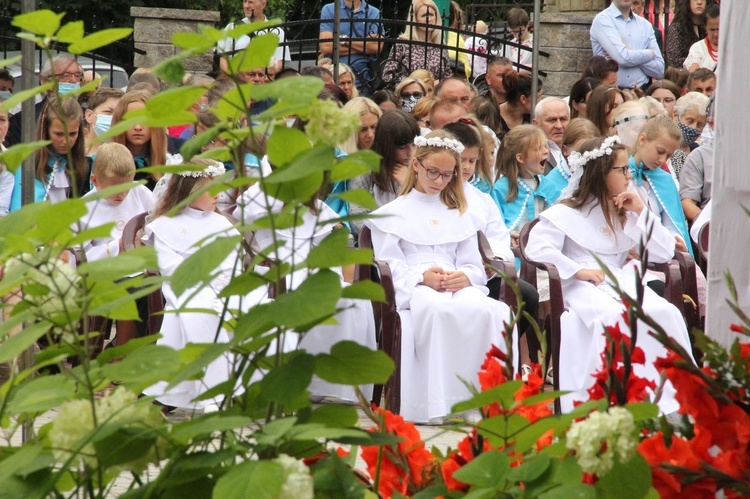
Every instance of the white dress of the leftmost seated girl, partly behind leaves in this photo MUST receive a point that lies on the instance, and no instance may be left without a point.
(174, 240)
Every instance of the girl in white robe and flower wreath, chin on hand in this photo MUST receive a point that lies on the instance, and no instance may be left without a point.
(606, 220)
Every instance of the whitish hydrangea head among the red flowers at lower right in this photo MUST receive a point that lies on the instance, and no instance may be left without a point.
(599, 438)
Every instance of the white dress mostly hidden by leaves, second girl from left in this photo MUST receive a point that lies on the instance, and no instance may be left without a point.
(355, 317)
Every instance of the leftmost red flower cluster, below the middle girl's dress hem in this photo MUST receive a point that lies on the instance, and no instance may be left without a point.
(403, 467)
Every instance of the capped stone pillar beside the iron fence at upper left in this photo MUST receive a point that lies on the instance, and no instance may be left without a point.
(154, 28)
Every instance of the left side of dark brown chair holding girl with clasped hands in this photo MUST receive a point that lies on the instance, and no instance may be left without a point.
(387, 323)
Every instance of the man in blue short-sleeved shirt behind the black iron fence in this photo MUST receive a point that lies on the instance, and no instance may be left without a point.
(367, 25)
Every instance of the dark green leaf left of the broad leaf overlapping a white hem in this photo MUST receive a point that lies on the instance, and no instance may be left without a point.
(288, 382)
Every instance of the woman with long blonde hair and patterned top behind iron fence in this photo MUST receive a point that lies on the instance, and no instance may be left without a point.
(424, 25)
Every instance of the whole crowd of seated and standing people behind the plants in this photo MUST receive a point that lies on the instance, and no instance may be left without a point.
(626, 153)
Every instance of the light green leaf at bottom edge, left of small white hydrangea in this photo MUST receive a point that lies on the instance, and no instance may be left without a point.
(256, 479)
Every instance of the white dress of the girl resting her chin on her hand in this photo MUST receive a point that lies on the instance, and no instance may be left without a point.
(568, 238)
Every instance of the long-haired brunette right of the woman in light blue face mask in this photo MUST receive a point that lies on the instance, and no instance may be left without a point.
(147, 145)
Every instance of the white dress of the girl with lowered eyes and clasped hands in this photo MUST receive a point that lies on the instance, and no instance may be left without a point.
(444, 335)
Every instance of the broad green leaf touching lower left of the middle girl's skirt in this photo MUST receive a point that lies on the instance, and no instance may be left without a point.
(350, 363)
